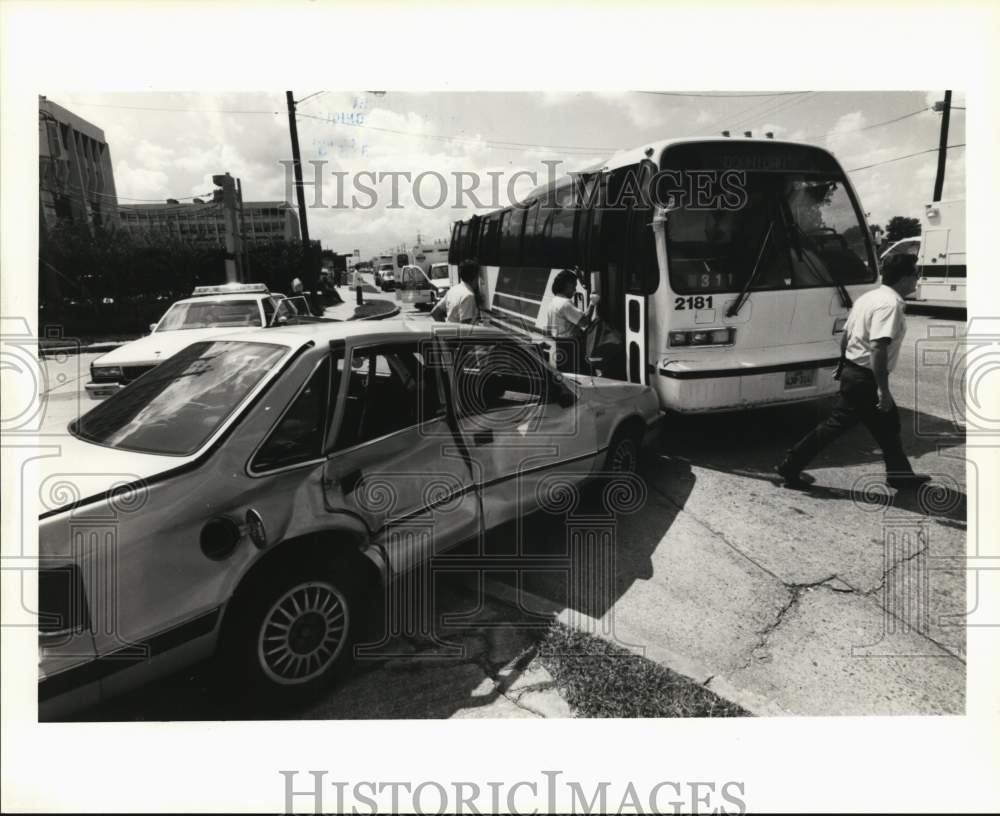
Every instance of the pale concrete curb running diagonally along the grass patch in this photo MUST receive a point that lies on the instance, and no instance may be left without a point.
(694, 670)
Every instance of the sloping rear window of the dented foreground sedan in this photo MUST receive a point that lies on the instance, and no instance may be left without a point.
(175, 408)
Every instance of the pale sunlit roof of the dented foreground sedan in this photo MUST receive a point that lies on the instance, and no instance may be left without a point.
(325, 331)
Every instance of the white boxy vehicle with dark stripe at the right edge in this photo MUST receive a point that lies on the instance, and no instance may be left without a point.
(941, 261)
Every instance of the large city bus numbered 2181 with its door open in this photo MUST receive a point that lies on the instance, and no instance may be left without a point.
(726, 268)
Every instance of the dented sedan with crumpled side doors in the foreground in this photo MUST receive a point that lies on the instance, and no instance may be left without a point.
(257, 494)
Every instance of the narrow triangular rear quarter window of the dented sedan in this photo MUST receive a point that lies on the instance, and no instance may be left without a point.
(298, 436)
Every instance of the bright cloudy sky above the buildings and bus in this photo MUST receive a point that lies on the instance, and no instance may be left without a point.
(168, 145)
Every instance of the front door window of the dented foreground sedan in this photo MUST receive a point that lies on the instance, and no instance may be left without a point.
(493, 375)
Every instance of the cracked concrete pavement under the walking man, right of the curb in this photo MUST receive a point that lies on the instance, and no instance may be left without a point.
(844, 599)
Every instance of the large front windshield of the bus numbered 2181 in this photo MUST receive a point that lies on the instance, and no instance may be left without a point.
(799, 230)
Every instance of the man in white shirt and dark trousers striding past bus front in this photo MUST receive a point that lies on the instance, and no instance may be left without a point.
(869, 349)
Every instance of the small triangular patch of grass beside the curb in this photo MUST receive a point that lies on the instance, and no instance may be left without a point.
(598, 679)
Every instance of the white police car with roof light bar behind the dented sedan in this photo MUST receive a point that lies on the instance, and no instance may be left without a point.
(211, 311)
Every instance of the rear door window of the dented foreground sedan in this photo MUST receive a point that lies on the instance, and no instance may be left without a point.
(389, 388)
